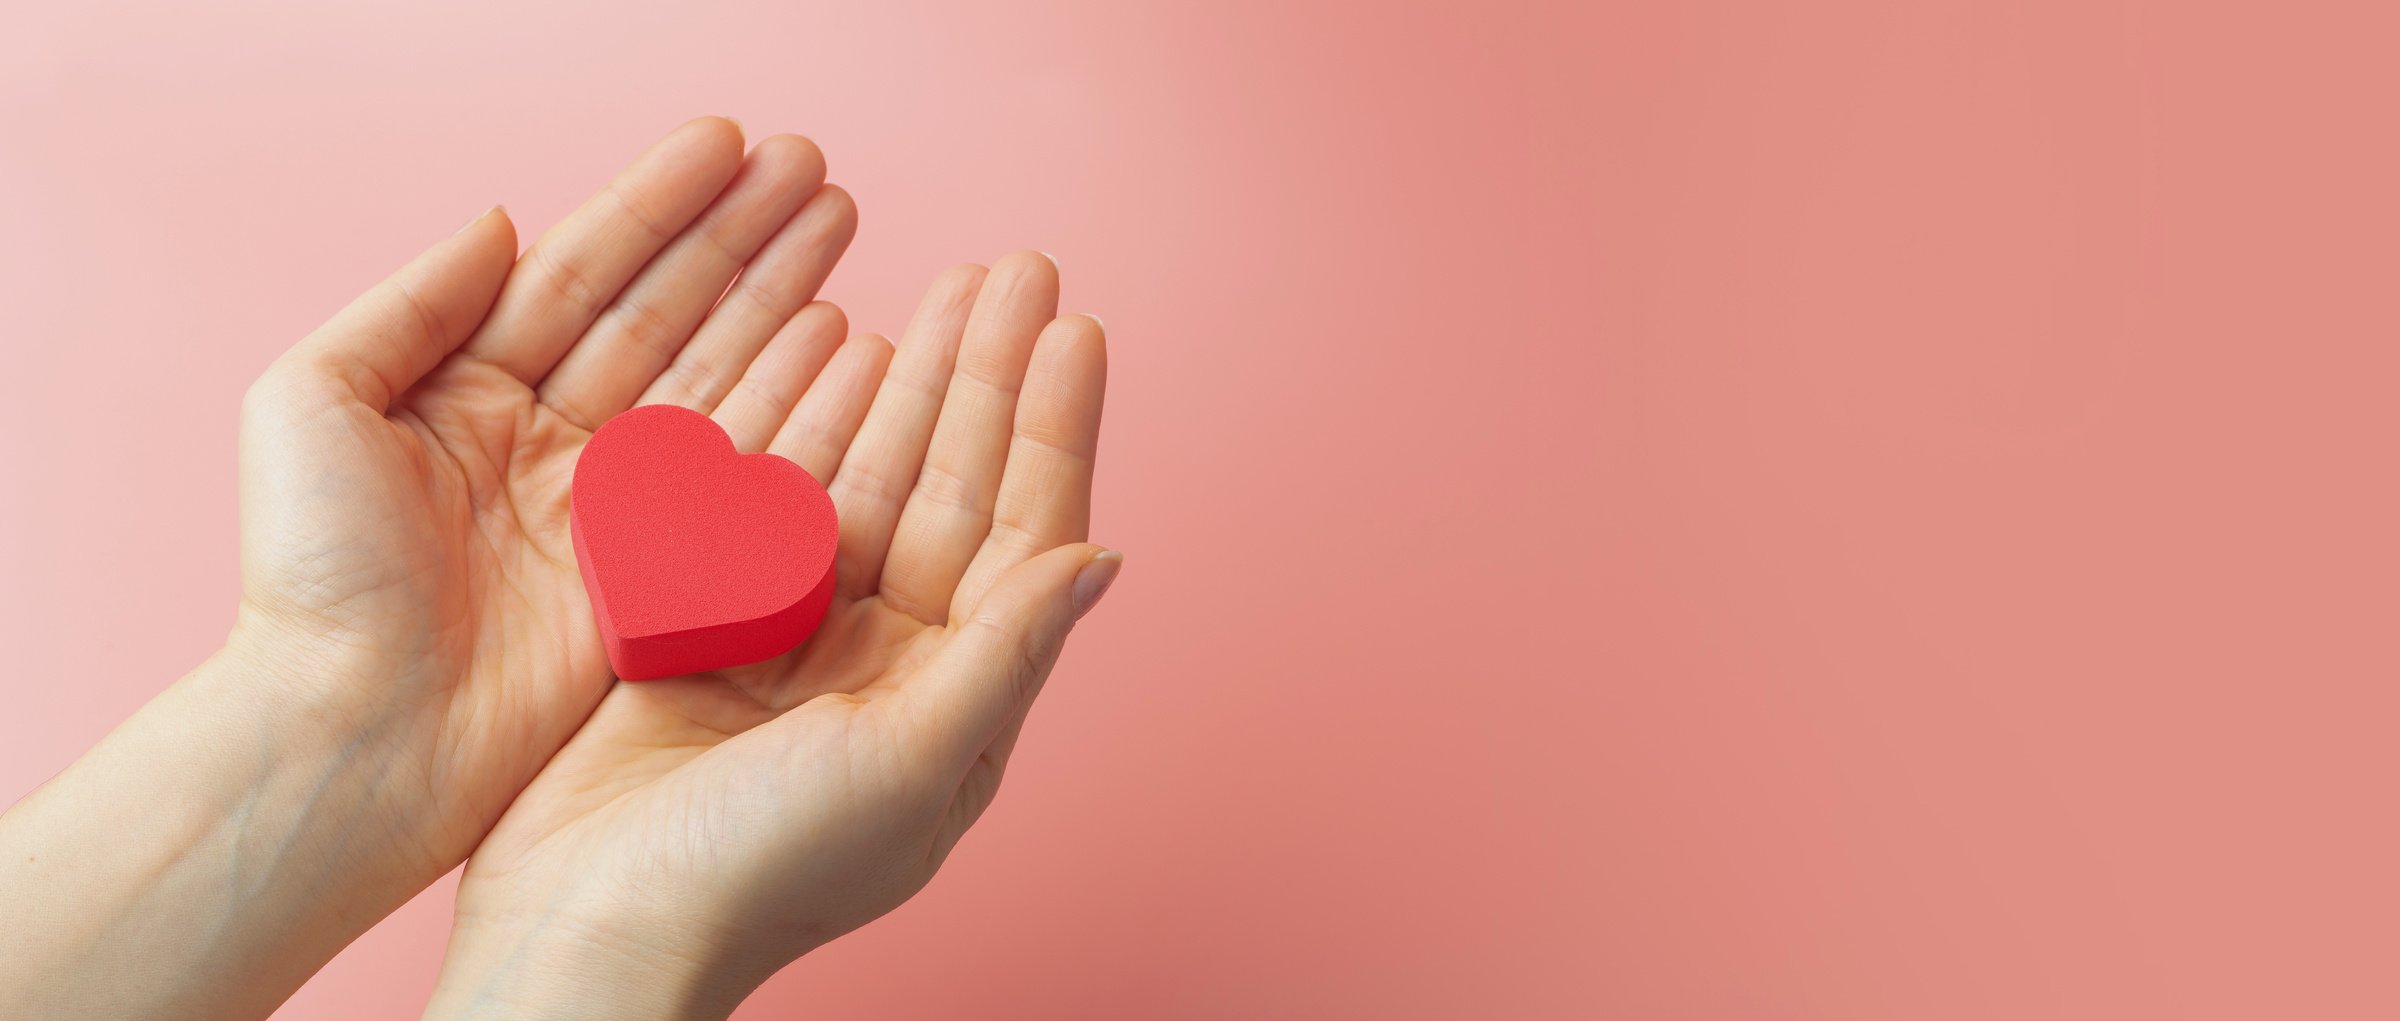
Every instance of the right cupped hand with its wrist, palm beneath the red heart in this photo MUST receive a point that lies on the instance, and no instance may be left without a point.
(702, 832)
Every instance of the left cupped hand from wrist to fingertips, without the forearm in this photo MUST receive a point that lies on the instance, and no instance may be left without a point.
(404, 470)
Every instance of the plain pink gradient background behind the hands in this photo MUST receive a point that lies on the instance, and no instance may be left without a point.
(1775, 510)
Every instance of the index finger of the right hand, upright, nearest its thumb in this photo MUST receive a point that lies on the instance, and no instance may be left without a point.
(1048, 489)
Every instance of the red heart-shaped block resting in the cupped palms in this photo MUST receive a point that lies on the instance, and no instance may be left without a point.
(697, 556)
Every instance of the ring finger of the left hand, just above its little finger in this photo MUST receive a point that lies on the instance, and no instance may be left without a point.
(776, 282)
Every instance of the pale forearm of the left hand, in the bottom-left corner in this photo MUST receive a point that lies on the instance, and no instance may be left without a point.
(205, 859)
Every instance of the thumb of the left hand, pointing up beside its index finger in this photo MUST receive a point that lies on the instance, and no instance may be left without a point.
(400, 330)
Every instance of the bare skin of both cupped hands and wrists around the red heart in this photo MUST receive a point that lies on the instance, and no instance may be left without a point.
(414, 674)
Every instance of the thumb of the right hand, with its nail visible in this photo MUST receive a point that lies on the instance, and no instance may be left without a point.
(997, 657)
